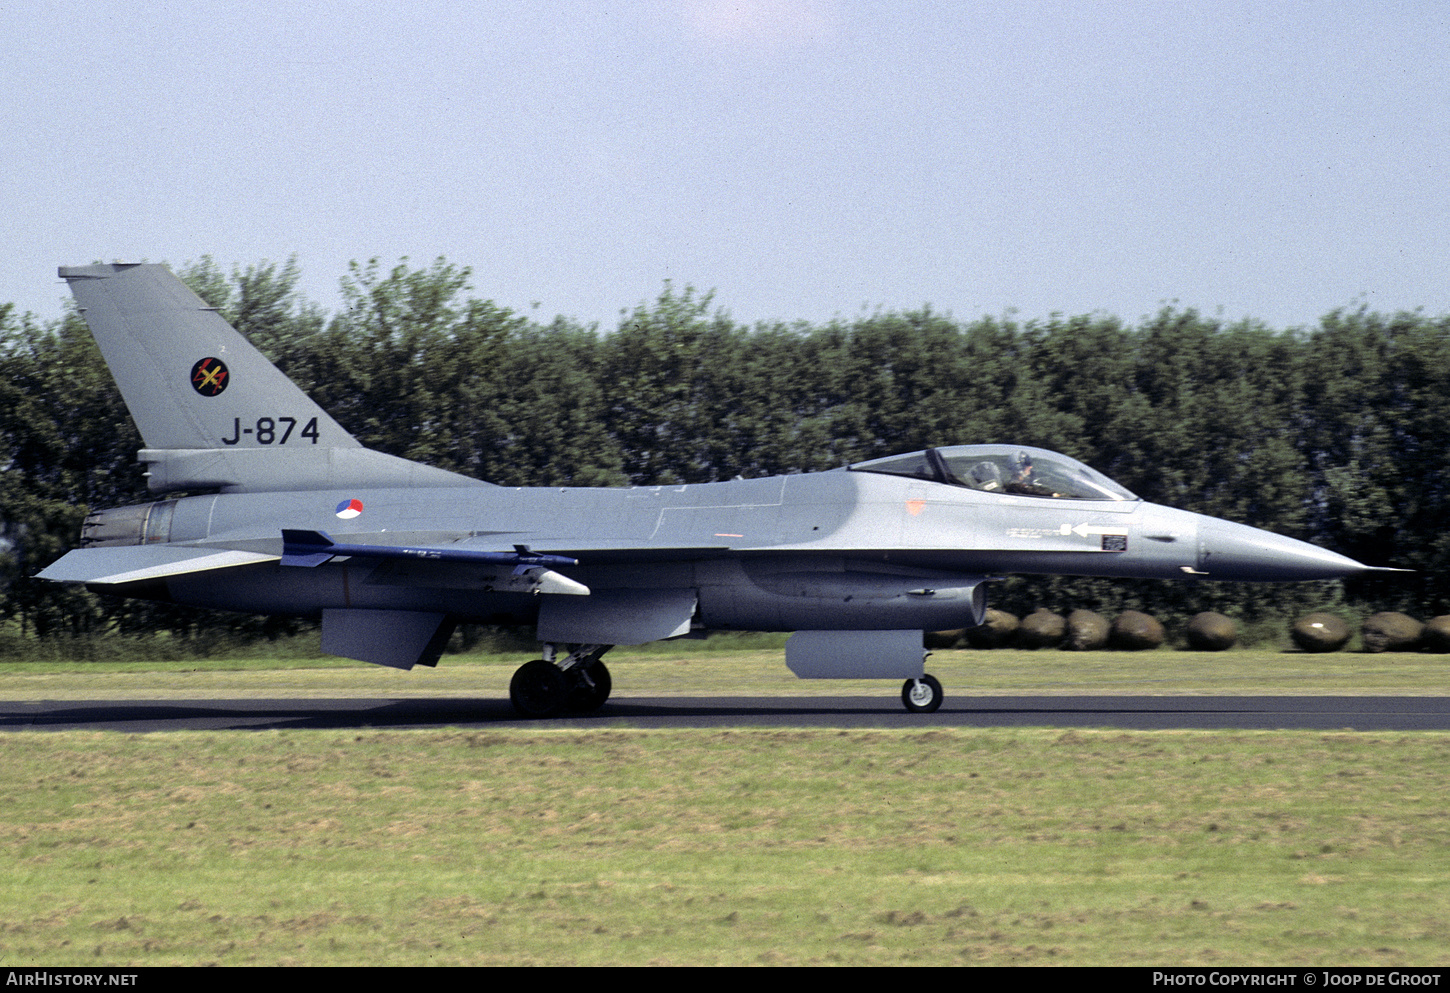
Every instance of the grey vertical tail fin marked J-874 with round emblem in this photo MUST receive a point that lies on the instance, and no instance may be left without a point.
(211, 408)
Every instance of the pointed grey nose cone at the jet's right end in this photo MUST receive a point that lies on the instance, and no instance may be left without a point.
(1229, 552)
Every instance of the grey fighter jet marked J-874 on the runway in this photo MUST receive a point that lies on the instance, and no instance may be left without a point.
(288, 514)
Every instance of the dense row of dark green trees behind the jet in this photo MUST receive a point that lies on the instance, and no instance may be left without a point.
(1338, 434)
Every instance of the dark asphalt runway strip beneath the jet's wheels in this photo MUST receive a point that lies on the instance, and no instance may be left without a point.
(1127, 712)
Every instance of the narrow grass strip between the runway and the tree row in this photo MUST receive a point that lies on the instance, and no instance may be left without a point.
(687, 670)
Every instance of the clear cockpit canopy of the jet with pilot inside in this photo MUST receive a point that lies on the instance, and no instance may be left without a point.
(1003, 469)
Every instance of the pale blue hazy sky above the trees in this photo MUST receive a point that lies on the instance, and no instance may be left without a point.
(803, 159)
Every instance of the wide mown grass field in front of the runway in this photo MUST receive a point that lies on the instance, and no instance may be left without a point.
(736, 847)
